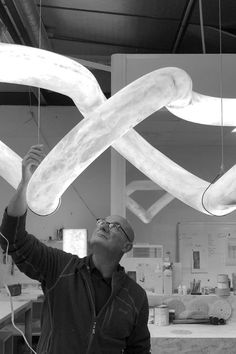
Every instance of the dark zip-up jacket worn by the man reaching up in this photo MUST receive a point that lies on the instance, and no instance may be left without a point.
(69, 323)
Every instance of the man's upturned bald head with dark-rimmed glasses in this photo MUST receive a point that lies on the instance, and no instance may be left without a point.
(111, 233)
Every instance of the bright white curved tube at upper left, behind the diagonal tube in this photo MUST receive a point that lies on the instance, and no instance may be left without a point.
(36, 67)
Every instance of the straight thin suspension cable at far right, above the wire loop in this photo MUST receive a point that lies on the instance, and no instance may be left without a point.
(221, 93)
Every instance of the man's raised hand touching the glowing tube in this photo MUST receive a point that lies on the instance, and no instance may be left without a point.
(30, 162)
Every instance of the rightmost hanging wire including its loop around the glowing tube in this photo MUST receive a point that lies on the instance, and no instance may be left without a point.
(221, 172)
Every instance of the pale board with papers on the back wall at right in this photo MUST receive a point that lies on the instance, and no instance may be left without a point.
(205, 250)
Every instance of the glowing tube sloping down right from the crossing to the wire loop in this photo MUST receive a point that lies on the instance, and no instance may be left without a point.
(220, 198)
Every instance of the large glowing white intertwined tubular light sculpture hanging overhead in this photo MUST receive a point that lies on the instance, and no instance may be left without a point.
(110, 122)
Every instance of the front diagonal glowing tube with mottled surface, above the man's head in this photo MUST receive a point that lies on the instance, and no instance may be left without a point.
(98, 131)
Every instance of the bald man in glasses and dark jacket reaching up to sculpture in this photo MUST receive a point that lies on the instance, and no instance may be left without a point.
(91, 305)
